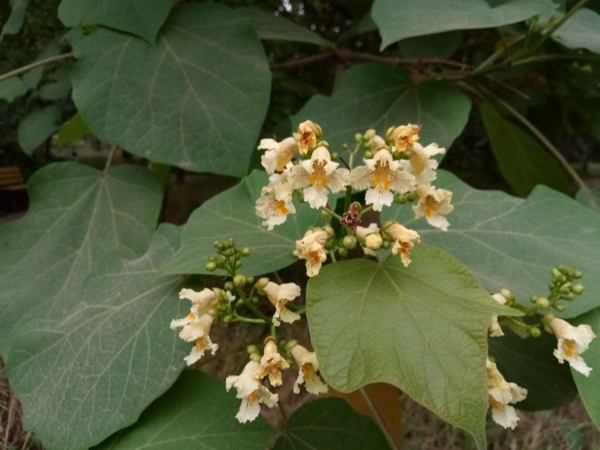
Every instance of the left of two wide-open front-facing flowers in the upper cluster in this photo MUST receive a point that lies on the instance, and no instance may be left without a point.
(318, 174)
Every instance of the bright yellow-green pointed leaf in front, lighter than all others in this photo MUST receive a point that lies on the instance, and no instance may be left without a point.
(421, 328)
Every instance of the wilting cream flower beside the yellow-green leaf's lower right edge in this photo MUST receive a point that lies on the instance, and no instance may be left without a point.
(501, 394)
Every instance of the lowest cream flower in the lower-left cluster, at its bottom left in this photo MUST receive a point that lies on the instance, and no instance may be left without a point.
(251, 392)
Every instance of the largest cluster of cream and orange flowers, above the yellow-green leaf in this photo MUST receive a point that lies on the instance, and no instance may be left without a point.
(396, 168)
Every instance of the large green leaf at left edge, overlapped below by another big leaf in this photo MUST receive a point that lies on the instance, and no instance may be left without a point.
(76, 215)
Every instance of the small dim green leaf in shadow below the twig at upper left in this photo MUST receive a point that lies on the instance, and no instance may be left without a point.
(37, 126)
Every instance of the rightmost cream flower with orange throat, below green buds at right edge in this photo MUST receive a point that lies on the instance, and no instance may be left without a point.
(572, 342)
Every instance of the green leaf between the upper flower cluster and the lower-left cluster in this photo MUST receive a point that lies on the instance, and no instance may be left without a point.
(232, 214)
